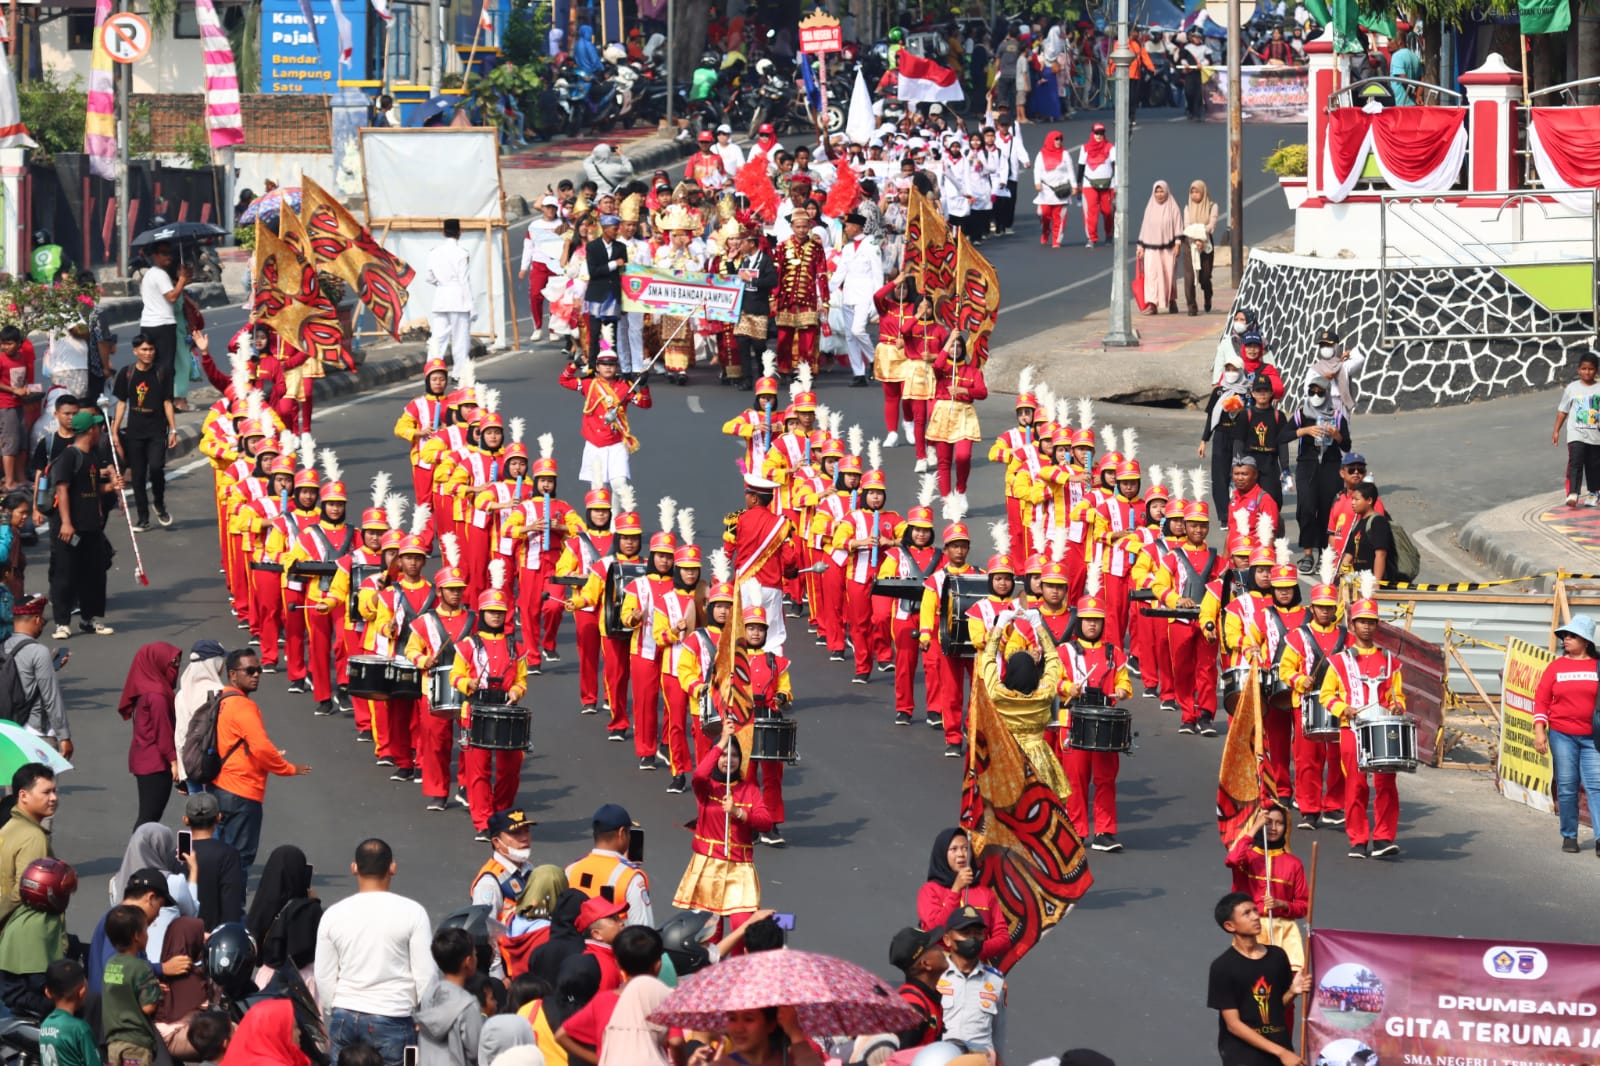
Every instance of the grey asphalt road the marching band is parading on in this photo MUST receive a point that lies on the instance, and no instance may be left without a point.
(1124, 974)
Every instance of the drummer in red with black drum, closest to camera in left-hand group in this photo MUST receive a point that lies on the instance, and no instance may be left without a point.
(490, 670)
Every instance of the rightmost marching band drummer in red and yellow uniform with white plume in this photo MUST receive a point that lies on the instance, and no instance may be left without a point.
(1366, 678)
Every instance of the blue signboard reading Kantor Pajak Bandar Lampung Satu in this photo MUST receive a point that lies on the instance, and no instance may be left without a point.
(294, 60)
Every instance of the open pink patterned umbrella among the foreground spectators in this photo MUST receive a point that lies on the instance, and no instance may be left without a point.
(833, 998)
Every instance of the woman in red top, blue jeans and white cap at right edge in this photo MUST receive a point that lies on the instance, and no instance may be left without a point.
(1564, 710)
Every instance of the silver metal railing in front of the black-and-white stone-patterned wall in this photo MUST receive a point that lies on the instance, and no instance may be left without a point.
(1436, 222)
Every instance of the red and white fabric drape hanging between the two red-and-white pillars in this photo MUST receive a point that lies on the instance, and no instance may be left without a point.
(1418, 150)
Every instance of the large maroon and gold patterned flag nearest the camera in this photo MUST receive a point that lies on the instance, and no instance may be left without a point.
(1023, 841)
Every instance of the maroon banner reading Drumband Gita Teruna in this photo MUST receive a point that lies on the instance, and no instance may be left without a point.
(1386, 1001)
